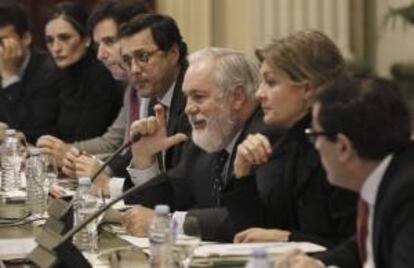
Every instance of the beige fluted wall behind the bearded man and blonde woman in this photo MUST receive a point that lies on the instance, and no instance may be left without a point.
(247, 24)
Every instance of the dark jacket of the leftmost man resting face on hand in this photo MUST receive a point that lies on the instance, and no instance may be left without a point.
(31, 105)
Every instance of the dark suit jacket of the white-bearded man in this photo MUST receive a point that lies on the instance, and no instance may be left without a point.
(190, 185)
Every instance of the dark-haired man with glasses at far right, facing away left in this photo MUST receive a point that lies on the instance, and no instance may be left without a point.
(362, 131)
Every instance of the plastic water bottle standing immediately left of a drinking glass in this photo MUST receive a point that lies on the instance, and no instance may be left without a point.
(160, 238)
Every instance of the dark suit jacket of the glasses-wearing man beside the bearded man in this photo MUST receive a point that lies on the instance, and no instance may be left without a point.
(177, 123)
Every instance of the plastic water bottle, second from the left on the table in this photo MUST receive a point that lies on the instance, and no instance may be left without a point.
(36, 192)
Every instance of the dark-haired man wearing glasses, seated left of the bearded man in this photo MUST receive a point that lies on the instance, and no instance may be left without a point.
(154, 54)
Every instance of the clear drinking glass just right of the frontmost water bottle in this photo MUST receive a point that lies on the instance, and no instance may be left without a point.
(185, 244)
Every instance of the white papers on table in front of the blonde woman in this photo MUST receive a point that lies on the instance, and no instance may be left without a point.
(221, 250)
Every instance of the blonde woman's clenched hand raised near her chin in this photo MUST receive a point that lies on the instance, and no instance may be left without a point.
(254, 150)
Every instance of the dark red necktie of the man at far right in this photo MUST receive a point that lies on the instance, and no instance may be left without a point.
(362, 228)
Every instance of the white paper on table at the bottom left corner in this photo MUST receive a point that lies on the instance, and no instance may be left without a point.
(16, 248)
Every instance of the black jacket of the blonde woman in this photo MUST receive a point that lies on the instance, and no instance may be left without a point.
(291, 192)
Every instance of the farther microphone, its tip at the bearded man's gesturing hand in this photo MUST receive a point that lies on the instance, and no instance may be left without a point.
(59, 209)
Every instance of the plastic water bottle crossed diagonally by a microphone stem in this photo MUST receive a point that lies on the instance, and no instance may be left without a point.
(85, 205)
